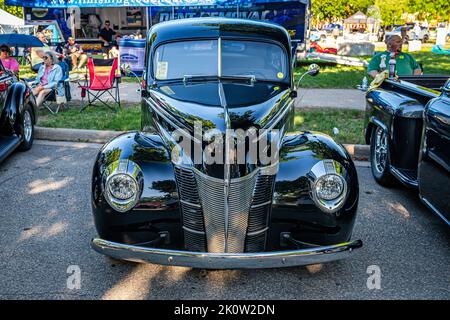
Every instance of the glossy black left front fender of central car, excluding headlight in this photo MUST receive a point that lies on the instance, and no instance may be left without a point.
(158, 203)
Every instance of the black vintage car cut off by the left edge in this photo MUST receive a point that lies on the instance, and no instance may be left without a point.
(17, 114)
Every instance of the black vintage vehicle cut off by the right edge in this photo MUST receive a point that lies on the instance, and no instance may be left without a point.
(408, 129)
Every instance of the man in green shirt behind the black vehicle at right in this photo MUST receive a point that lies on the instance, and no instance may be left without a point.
(406, 65)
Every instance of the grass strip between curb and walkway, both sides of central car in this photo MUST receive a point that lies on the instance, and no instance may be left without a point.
(349, 122)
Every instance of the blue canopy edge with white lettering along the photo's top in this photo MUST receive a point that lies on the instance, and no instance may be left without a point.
(131, 3)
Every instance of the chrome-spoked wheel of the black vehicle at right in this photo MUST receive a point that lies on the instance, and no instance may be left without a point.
(379, 157)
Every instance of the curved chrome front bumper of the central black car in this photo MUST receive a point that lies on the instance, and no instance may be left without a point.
(205, 260)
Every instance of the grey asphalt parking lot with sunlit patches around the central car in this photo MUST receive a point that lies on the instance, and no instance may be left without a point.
(46, 226)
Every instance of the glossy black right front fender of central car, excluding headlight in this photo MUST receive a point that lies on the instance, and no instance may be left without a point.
(294, 209)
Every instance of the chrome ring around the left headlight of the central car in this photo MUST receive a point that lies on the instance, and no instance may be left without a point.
(130, 170)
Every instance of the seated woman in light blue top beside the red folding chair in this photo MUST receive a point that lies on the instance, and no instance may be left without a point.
(49, 75)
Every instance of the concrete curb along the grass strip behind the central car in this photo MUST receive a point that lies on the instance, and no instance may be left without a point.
(357, 151)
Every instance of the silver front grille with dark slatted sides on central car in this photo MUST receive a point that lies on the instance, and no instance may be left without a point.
(213, 224)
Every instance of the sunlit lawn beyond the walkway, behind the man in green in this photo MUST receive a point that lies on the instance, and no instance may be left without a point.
(348, 77)
